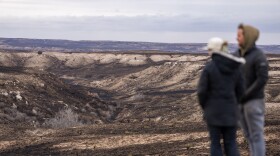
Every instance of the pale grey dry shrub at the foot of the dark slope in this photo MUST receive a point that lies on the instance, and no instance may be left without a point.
(63, 119)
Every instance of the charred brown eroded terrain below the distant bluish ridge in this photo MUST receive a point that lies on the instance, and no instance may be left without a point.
(115, 104)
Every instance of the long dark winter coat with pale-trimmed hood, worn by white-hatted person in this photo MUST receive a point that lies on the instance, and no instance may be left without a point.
(219, 89)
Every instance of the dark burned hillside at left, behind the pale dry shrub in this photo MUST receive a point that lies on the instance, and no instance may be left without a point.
(31, 96)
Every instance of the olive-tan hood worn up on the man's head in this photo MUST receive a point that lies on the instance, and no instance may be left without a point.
(251, 35)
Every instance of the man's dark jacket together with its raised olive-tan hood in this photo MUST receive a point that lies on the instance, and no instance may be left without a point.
(256, 68)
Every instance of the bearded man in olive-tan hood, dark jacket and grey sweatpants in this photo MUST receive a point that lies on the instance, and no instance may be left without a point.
(256, 76)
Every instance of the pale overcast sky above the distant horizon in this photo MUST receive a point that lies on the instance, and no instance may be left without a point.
(174, 21)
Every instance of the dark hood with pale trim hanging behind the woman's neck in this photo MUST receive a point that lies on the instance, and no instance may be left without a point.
(226, 62)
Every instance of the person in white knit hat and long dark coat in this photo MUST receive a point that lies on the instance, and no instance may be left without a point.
(219, 90)
